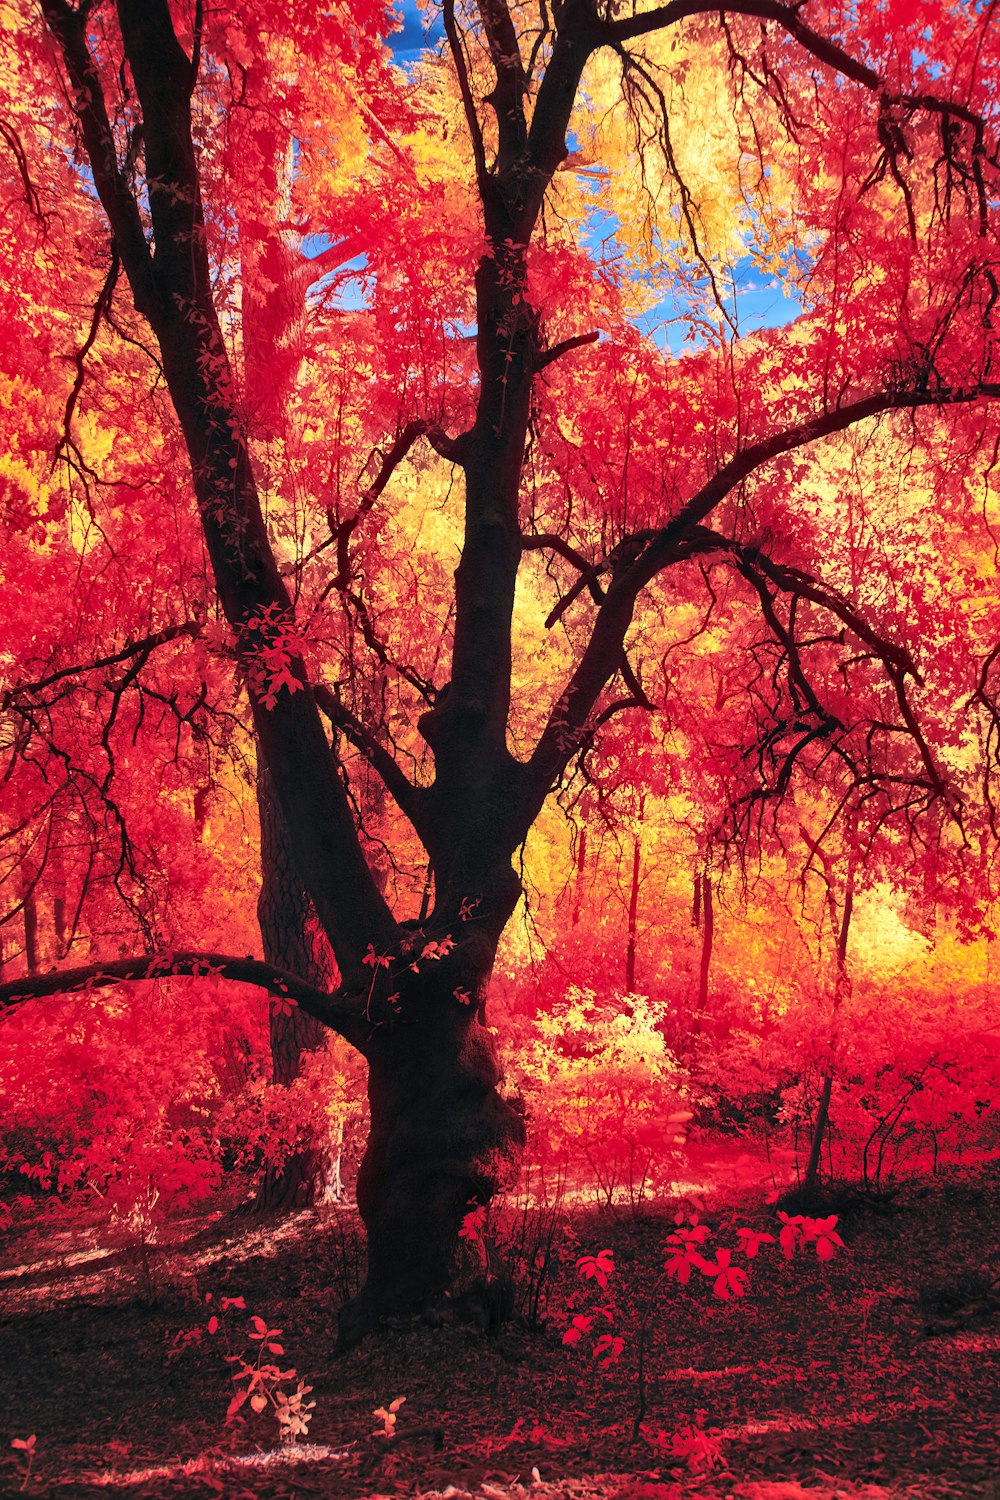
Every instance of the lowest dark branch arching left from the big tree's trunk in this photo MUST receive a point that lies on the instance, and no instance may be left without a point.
(347, 1018)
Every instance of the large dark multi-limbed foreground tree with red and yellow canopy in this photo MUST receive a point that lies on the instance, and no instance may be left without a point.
(632, 484)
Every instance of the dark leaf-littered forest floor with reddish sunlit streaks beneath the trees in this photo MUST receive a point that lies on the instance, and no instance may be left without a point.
(872, 1376)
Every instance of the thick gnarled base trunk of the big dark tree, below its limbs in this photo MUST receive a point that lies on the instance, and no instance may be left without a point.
(443, 1139)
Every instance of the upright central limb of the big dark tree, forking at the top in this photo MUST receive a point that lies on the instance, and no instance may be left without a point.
(473, 724)
